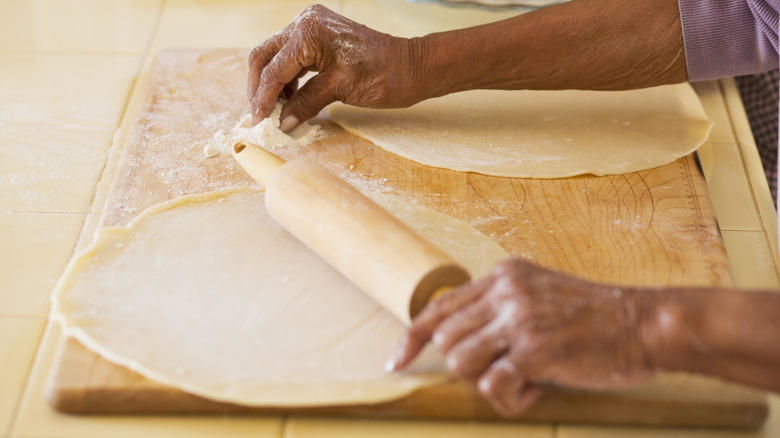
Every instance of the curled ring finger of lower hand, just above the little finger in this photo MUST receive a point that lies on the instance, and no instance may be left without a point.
(471, 357)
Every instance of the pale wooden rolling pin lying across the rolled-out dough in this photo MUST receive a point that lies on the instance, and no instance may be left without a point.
(377, 252)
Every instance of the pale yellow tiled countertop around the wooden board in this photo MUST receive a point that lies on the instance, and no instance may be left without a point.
(67, 73)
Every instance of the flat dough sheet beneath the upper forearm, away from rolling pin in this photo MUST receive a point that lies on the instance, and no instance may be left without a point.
(539, 134)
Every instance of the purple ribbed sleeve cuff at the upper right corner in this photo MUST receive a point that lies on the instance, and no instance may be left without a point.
(729, 37)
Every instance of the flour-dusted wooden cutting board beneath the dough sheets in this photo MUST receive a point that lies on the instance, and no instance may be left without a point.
(654, 227)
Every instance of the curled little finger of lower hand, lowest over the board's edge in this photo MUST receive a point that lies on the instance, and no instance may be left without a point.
(506, 389)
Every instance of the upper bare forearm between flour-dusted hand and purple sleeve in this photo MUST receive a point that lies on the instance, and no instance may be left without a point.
(583, 44)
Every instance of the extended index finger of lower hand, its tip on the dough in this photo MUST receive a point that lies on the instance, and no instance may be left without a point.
(413, 341)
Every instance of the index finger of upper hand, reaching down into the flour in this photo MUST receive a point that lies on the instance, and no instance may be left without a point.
(281, 70)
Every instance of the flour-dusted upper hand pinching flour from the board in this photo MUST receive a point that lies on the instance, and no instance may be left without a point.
(356, 65)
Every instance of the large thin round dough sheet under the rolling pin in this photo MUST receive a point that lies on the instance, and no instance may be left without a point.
(208, 294)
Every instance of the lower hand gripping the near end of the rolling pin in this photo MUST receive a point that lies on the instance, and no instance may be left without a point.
(523, 325)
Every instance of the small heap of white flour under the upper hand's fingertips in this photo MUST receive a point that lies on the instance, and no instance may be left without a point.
(265, 134)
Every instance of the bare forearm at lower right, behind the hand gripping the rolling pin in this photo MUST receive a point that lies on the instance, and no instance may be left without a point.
(730, 334)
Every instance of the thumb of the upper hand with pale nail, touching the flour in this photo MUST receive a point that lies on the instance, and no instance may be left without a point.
(307, 102)
